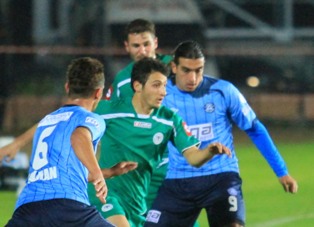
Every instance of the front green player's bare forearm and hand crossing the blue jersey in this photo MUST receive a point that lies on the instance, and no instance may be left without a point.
(197, 157)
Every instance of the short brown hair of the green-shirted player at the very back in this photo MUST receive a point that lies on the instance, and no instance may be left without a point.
(139, 26)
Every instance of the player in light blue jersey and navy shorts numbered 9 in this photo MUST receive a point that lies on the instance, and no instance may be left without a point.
(209, 106)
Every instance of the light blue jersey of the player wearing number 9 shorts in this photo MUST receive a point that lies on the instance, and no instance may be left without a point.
(209, 112)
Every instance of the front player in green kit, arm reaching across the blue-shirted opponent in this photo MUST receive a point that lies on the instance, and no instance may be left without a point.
(139, 129)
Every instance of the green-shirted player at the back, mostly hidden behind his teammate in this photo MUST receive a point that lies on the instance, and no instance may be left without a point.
(140, 41)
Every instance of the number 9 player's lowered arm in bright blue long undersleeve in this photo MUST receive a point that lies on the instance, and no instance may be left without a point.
(262, 140)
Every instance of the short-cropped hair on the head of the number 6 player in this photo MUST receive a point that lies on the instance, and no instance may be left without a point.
(83, 76)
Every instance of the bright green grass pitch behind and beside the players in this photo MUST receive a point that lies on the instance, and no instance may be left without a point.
(267, 205)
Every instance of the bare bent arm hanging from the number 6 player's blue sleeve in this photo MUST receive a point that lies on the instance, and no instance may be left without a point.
(81, 142)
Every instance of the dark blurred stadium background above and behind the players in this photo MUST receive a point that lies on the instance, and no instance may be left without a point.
(264, 47)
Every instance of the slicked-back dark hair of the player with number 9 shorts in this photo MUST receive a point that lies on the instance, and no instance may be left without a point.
(188, 49)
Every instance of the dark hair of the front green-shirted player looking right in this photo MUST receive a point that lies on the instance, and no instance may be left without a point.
(143, 68)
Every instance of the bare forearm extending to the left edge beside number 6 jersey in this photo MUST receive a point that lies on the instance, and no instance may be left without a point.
(12, 148)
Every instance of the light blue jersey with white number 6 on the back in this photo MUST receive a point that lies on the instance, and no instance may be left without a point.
(55, 171)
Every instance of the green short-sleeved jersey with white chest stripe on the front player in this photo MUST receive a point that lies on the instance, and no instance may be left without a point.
(140, 138)
